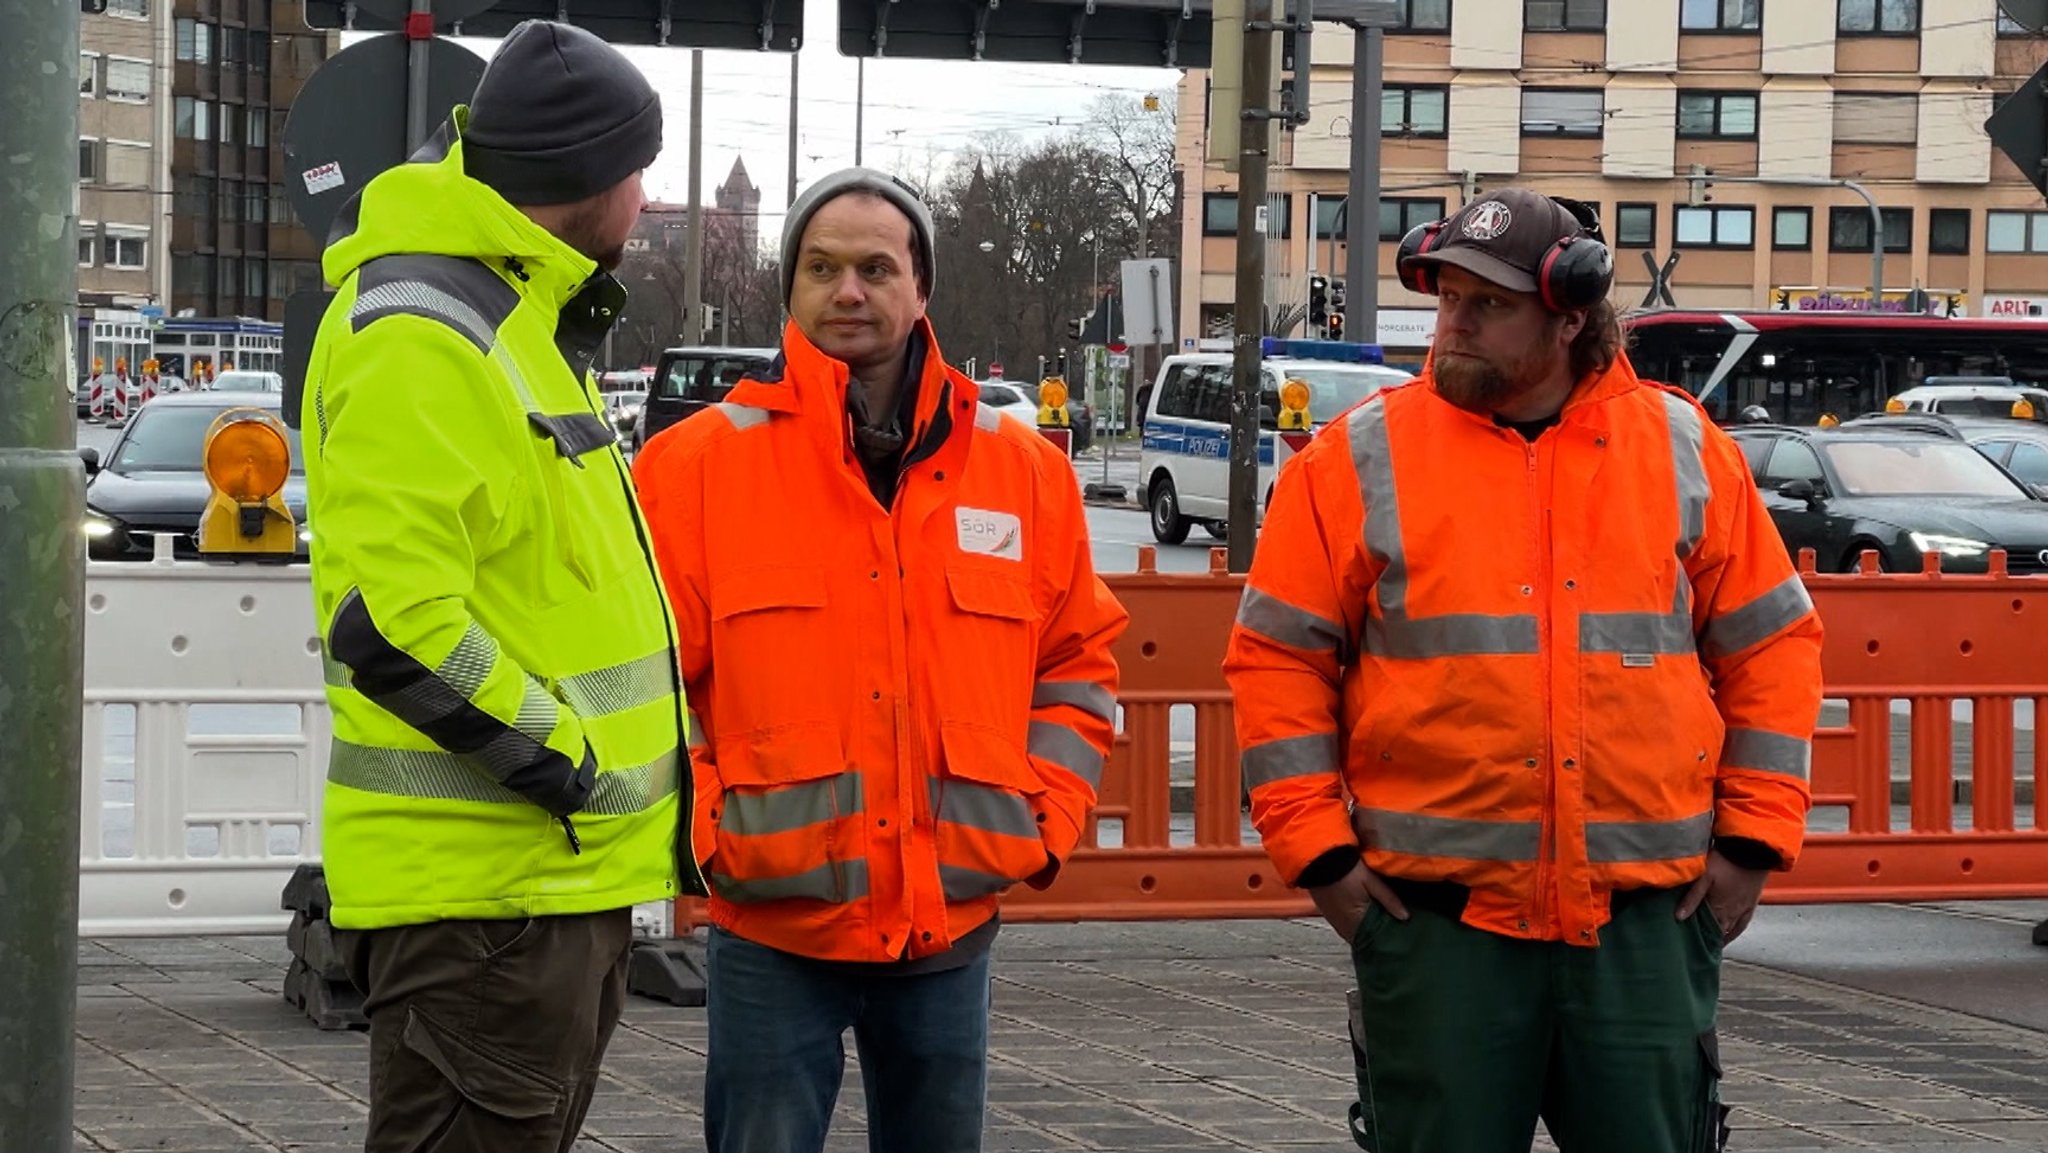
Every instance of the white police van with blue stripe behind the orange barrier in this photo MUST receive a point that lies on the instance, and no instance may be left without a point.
(1185, 458)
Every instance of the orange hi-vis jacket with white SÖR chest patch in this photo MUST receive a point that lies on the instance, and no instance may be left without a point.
(896, 714)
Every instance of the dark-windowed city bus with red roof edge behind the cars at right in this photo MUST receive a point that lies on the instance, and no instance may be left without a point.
(1803, 366)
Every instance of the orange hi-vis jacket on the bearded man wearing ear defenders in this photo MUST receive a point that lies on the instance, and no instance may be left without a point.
(1543, 671)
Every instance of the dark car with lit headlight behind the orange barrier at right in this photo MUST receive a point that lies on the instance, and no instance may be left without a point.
(1897, 486)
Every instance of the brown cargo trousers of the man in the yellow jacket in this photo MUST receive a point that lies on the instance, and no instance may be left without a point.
(486, 1037)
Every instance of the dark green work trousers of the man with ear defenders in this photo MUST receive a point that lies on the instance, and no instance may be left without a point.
(1465, 1039)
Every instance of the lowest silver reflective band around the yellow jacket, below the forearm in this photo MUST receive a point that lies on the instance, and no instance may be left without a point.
(439, 775)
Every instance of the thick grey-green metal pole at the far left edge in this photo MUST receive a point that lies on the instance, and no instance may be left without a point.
(42, 574)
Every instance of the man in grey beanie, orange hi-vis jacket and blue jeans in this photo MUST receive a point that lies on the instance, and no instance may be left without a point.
(898, 656)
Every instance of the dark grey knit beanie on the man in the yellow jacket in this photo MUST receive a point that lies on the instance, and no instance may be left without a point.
(558, 118)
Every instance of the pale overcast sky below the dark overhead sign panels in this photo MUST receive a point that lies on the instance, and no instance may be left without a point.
(910, 105)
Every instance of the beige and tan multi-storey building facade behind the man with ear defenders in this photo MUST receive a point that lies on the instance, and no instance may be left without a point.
(1617, 101)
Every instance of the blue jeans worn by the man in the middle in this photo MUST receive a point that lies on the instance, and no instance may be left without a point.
(779, 1054)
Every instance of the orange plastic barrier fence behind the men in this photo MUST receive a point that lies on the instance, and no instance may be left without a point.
(1926, 640)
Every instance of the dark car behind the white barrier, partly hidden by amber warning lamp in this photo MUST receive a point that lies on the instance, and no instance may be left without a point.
(155, 478)
